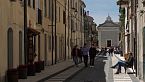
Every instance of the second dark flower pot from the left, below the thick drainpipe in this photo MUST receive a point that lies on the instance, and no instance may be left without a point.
(22, 71)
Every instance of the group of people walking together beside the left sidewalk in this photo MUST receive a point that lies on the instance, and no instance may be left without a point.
(85, 53)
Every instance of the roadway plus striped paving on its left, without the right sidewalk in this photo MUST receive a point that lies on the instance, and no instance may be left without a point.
(100, 73)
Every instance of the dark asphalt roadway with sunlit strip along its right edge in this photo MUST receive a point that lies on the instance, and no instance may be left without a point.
(99, 73)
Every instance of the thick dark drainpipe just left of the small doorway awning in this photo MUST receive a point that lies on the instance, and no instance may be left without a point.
(25, 31)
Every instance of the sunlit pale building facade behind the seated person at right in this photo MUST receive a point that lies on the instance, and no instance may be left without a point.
(133, 20)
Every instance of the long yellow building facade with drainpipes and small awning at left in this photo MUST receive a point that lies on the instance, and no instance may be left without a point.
(47, 35)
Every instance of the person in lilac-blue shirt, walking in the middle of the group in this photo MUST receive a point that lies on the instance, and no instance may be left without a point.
(85, 51)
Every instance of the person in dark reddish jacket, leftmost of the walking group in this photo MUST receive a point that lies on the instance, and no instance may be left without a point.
(75, 52)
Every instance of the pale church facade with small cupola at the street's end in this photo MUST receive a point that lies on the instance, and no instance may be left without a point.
(108, 34)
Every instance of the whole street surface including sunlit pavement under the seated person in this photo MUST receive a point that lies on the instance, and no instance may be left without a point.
(101, 72)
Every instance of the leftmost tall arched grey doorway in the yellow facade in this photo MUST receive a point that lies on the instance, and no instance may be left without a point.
(10, 47)
